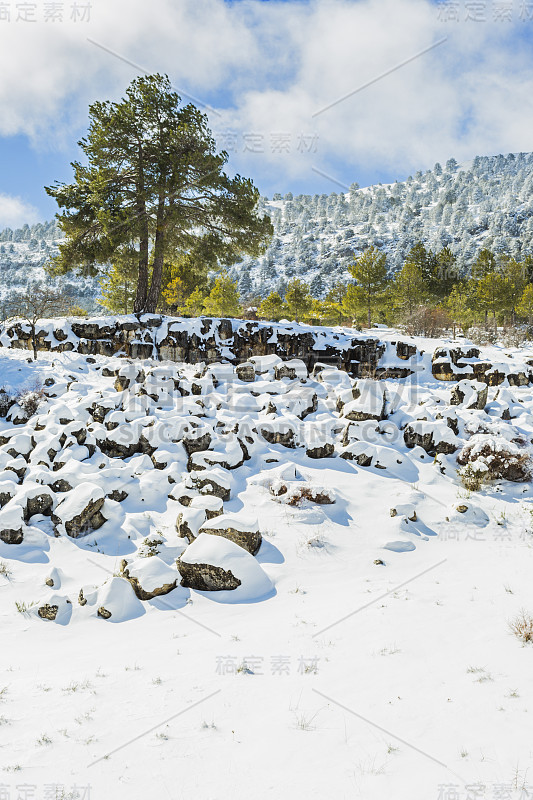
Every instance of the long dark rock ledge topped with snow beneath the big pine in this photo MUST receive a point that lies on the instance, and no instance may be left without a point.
(203, 339)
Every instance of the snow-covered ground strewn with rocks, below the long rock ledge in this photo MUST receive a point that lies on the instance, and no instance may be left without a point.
(366, 650)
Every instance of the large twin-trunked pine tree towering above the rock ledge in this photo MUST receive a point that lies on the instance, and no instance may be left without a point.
(153, 185)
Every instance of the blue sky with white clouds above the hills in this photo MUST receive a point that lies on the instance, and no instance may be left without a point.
(306, 95)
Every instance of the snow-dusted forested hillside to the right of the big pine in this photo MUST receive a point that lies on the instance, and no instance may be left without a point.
(487, 202)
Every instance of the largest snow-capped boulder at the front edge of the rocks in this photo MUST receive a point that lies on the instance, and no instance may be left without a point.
(214, 563)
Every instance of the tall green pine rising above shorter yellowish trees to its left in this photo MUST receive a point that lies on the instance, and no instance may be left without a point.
(370, 272)
